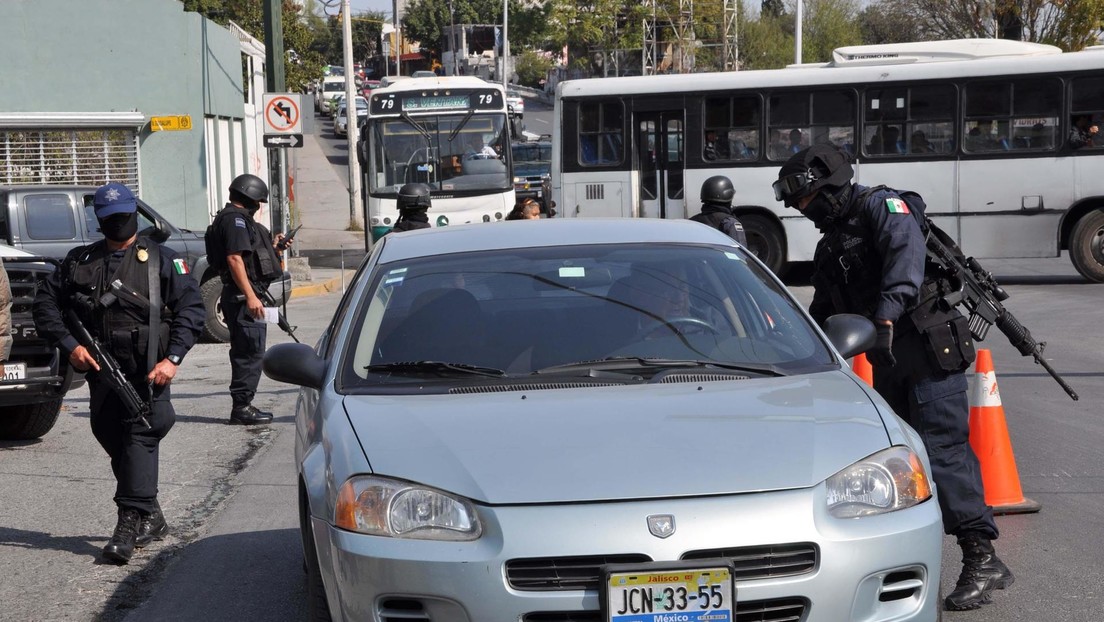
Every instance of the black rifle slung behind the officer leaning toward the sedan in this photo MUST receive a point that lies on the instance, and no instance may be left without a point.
(975, 289)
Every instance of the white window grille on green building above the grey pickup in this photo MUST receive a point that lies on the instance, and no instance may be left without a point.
(87, 157)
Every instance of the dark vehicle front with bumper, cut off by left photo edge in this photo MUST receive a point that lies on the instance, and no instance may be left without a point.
(37, 376)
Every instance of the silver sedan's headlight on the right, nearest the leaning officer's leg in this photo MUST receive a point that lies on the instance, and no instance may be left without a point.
(888, 481)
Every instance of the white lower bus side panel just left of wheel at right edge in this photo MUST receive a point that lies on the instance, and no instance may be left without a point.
(1018, 217)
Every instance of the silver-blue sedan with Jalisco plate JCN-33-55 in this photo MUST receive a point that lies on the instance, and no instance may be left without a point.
(588, 419)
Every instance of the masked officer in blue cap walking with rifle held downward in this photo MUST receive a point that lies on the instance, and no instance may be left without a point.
(139, 300)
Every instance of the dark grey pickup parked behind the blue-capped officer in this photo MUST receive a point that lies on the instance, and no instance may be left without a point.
(51, 220)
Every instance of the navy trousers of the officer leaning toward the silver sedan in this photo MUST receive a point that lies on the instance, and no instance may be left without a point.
(936, 405)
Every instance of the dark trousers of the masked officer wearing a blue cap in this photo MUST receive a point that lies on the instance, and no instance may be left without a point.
(133, 449)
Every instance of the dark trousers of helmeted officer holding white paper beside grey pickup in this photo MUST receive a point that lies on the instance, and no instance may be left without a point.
(247, 347)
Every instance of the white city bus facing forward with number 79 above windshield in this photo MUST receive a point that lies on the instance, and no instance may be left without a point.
(450, 133)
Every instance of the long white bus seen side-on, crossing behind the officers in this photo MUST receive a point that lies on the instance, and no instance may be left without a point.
(981, 129)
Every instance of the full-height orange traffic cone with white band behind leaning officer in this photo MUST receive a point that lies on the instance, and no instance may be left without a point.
(989, 436)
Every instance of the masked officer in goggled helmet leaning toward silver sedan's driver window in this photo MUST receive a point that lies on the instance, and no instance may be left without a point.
(872, 261)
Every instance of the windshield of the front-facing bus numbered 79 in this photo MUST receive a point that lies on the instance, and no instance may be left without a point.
(461, 154)
